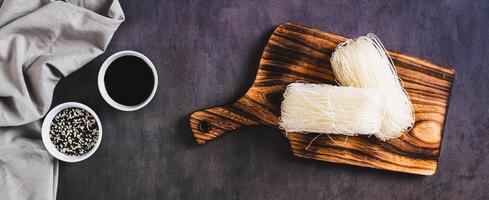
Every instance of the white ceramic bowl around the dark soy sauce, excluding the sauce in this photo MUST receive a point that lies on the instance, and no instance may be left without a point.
(101, 80)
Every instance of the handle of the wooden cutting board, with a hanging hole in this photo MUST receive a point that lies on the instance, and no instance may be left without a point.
(211, 123)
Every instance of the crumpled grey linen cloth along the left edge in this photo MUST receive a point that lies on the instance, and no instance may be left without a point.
(41, 41)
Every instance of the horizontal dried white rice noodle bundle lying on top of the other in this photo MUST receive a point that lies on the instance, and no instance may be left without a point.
(322, 108)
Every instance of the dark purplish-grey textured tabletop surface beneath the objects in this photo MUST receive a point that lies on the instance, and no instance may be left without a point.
(207, 53)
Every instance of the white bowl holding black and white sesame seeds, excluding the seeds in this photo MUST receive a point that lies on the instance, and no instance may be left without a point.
(46, 126)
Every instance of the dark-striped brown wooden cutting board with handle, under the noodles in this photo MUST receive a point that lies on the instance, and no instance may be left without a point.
(297, 53)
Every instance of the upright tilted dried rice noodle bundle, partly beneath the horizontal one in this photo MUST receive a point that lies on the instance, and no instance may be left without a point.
(363, 62)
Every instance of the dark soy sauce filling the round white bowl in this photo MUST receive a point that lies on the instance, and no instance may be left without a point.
(129, 80)
